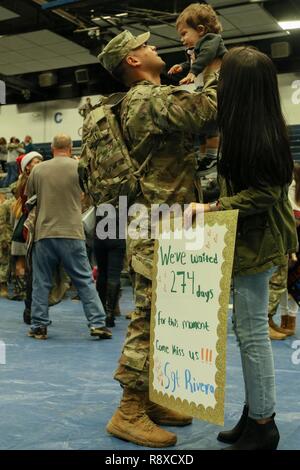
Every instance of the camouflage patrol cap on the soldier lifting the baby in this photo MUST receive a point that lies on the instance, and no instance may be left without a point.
(118, 48)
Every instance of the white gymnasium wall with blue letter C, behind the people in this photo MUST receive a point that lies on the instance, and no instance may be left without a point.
(42, 120)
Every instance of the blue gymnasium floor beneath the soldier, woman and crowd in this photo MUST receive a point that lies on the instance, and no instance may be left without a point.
(59, 393)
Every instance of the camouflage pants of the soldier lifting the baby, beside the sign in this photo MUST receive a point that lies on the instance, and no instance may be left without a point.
(133, 369)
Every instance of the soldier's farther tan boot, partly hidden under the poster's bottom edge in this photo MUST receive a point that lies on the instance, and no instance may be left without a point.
(166, 417)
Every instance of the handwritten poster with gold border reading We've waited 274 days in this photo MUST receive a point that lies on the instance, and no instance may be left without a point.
(190, 299)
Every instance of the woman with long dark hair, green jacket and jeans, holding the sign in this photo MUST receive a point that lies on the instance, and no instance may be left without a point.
(255, 170)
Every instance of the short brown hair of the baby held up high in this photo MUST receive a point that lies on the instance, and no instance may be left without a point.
(200, 14)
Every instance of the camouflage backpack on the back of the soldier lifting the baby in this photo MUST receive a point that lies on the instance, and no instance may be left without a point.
(106, 170)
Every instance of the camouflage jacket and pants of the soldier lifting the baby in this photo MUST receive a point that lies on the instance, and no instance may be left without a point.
(159, 121)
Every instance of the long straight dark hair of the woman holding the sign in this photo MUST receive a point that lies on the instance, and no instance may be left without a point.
(254, 147)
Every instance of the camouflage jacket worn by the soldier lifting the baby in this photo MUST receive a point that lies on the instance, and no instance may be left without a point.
(160, 122)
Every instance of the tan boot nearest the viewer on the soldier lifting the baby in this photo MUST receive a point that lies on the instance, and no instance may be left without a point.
(131, 423)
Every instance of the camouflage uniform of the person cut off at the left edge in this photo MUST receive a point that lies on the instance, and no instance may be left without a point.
(5, 239)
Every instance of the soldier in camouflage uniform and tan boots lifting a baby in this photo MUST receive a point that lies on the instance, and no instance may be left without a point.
(156, 121)
